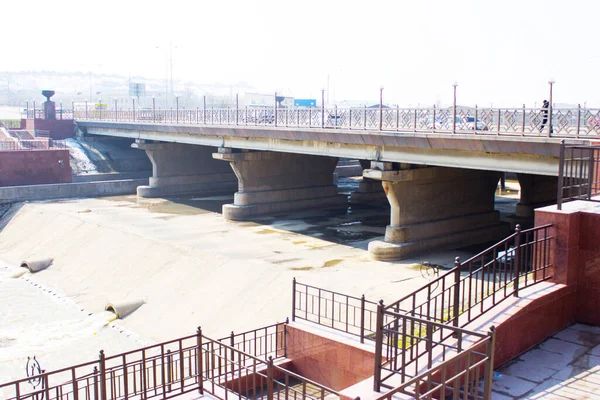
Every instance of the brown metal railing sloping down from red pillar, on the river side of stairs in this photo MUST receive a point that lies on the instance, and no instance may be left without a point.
(453, 299)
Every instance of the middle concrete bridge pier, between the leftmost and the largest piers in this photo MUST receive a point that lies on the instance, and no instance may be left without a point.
(270, 182)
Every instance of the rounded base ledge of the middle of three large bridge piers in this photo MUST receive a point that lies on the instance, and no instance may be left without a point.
(241, 213)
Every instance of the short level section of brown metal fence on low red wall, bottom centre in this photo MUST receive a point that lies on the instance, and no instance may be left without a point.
(349, 314)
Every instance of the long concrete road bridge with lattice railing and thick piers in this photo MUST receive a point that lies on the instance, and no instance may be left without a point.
(438, 168)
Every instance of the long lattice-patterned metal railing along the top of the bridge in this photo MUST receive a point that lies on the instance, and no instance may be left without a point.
(536, 122)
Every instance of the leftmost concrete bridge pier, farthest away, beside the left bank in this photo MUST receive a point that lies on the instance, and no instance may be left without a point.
(184, 169)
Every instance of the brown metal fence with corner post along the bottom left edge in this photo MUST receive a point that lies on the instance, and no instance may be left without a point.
(167, 370)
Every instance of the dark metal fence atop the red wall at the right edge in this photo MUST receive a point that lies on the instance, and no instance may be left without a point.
(579, 173)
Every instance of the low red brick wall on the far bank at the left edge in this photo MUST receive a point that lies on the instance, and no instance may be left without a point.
(31, 167)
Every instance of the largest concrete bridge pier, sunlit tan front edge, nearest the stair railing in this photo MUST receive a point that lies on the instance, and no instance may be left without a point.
(435, 208)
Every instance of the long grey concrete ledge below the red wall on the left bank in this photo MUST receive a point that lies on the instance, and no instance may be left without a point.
(11, 194)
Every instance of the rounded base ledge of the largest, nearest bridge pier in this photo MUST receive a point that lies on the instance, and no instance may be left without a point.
(386, 251)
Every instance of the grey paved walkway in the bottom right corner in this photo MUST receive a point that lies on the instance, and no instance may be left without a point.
(566, 366)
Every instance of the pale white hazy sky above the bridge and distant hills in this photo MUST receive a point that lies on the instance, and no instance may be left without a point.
(500, 52)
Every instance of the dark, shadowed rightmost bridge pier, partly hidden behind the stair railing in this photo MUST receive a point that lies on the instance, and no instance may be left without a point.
(536, 191)
